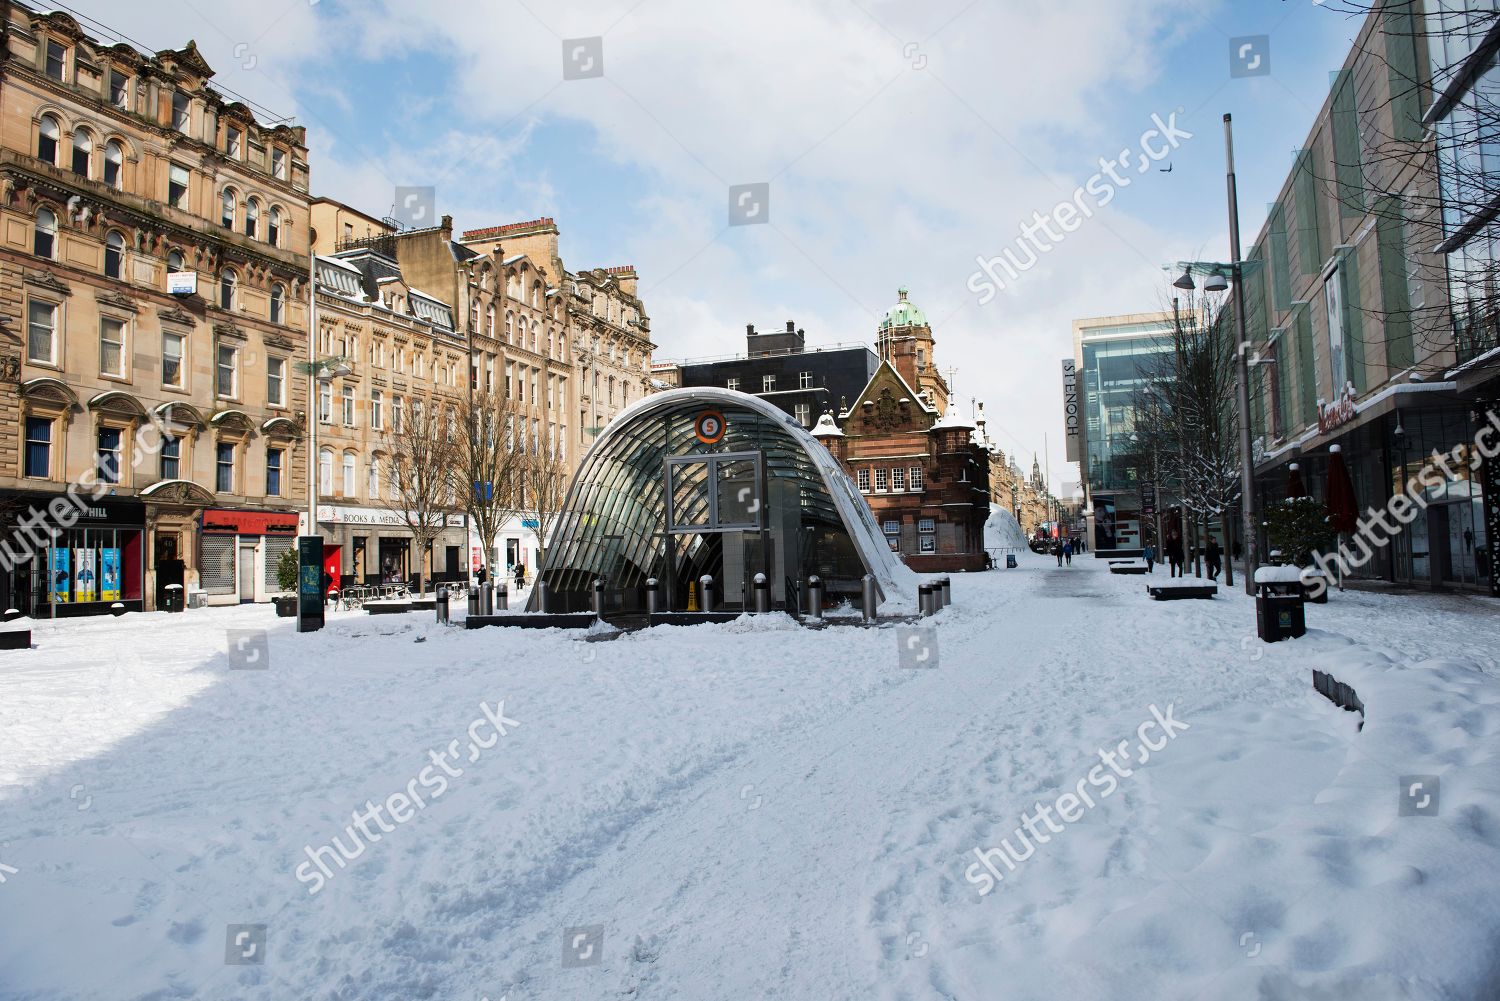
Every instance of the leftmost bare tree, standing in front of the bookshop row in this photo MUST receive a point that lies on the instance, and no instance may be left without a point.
(425, 460)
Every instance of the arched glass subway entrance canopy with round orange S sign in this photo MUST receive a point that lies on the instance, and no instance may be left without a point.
(713, 482)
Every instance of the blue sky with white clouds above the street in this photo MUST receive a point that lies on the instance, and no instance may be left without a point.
(901, 143)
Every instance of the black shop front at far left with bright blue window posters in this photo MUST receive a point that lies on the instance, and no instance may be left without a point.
(88, 568)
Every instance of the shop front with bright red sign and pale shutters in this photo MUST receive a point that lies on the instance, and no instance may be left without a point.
(239, 552)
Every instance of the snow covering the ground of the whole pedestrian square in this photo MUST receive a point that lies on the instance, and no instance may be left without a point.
(757, 810)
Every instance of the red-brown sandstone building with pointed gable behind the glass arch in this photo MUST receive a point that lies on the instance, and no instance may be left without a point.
(911, 455)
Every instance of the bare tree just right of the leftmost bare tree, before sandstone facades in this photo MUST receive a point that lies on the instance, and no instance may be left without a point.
(491, 466)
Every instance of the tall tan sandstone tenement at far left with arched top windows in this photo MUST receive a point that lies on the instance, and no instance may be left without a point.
(152, 308)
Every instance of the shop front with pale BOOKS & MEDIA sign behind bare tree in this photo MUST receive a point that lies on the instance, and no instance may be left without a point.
(373, 546)
